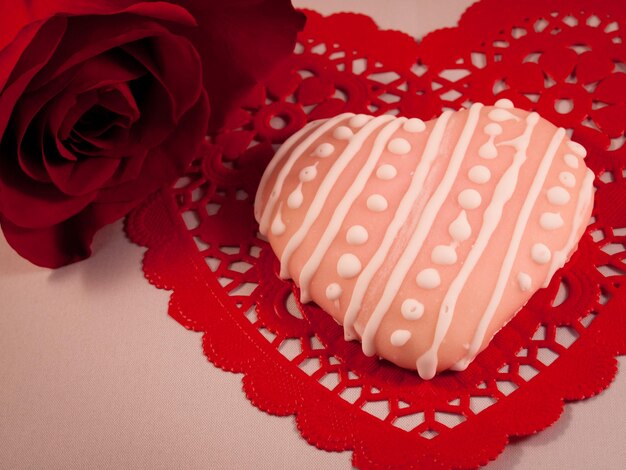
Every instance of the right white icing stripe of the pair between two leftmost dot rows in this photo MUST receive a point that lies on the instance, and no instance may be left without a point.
(336, 221)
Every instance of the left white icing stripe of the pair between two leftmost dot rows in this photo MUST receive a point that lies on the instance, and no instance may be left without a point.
(326, 187)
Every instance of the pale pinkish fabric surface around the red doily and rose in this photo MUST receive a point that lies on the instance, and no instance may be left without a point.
(94, 374)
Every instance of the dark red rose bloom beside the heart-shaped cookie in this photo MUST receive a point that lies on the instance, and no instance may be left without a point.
(104, 101)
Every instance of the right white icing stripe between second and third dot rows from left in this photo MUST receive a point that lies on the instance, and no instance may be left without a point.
(424, 225)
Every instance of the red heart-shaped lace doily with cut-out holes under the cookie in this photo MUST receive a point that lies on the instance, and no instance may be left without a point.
(565, 59)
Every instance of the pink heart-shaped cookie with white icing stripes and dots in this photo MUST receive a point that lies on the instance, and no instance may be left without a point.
(424, 239)
